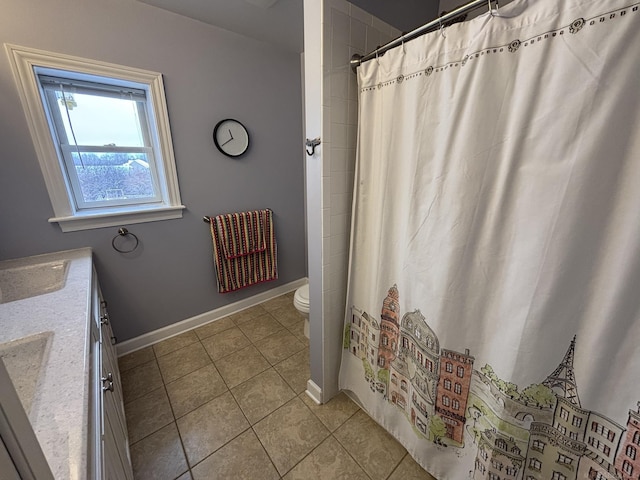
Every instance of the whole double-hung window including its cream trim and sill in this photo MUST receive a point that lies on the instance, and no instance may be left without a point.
(102, 137)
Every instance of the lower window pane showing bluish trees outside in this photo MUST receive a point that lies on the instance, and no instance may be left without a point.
(113, 176)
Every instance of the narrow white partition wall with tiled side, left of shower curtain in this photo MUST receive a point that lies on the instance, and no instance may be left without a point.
(346, 29)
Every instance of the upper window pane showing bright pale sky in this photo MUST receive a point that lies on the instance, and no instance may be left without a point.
(100, 120)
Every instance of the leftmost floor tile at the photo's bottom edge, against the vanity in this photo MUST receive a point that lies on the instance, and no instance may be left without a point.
(159, 456)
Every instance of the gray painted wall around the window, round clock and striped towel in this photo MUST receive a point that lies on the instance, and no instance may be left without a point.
(209, 74)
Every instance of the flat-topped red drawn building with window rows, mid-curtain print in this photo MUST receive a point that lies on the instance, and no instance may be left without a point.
(453, 391)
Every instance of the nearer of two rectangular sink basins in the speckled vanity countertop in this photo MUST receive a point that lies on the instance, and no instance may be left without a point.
(24, 360)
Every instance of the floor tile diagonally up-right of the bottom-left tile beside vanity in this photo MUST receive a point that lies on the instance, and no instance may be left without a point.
(195, 389)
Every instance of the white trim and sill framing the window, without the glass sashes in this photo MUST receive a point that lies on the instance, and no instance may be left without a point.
(23, 60)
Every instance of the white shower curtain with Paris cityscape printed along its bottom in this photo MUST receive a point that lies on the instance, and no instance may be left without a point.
(493, 306)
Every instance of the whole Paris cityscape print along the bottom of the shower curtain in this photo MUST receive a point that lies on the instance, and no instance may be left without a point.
(541, 431)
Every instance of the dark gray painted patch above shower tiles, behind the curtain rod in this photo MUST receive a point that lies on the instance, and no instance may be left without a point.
(405, 15)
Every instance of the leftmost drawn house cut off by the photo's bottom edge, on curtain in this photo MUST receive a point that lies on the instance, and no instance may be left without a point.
(499, 457)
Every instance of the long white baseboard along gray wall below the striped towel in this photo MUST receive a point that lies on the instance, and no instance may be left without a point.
(174, 329)
